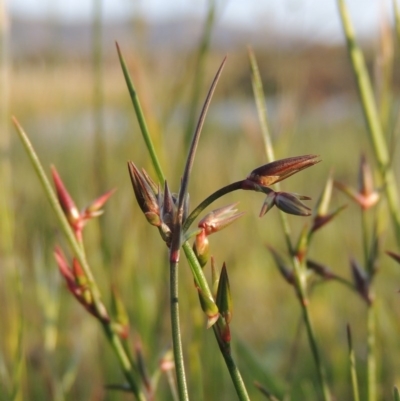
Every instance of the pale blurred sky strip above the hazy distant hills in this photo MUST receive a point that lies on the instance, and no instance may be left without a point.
(313, 19)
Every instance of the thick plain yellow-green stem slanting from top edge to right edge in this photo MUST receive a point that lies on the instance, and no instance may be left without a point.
(372, 118)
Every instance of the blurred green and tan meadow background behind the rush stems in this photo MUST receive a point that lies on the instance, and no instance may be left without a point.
(64, 84)
